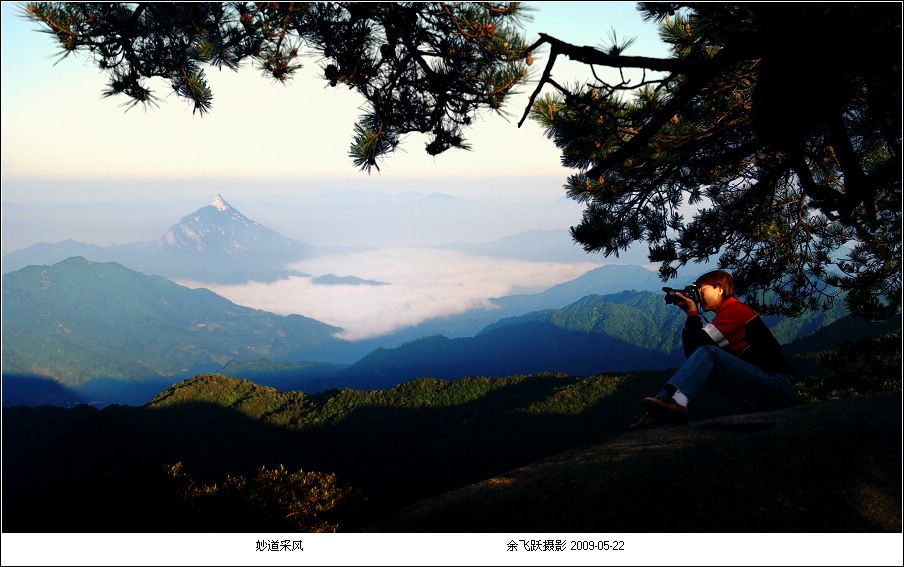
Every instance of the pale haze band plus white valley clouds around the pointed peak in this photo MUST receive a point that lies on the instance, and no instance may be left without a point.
(437, 254)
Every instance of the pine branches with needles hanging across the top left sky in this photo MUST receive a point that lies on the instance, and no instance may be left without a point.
(421, 66)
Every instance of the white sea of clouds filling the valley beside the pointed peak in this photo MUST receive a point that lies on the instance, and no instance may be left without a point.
(425, 283)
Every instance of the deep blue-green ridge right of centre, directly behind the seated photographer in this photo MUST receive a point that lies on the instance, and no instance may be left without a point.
(629, 330)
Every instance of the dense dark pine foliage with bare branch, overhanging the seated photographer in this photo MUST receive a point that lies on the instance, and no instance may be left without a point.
(779, 124)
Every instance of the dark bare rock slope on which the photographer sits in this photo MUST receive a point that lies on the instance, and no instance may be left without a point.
(828, 467)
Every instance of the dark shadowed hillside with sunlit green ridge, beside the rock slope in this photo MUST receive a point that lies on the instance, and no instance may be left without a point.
(392, 447)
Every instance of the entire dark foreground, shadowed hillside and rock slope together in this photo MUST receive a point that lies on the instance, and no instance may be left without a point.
(553, 446)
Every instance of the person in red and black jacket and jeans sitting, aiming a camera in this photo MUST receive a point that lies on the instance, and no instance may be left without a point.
(736, 354)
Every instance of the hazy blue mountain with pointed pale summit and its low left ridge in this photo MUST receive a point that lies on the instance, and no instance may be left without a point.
(215, 244)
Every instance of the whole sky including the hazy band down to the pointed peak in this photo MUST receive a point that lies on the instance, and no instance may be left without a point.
(76, 165)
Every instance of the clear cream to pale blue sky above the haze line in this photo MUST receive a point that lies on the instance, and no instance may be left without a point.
(58, 129)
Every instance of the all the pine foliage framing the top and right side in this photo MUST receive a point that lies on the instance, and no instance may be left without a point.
(775, 127)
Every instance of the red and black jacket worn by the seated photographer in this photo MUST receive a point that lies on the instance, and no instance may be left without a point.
(739, 330)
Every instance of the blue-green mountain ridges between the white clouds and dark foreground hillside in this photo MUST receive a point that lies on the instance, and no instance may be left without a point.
(95, 327)
